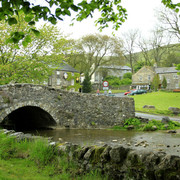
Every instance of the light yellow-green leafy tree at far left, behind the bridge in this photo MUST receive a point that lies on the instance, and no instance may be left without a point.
(32, 62)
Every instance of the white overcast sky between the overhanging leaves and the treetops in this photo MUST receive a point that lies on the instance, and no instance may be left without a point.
(141, 15)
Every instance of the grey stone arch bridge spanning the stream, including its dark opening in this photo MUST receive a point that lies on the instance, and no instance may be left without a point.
(28, 106)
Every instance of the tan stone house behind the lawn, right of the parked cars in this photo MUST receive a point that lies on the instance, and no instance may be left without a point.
(143, 78)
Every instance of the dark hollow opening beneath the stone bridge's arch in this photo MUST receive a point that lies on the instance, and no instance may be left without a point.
(28, 118)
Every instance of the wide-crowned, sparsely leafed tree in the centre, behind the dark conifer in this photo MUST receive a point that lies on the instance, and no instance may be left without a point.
(93, 51)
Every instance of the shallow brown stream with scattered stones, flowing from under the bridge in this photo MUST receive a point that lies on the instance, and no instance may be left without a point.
(148, 141)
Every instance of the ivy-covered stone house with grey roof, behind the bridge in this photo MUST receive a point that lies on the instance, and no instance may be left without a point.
(65, 77)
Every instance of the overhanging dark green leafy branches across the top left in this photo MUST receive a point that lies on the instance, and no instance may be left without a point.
(110, 12)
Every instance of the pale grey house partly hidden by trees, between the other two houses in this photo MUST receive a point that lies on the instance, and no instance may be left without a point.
(111, 70)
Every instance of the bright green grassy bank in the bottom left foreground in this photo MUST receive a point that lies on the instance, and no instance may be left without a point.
(36, 160)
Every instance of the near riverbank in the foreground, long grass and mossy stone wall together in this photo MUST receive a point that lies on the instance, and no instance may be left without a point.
(44, 159)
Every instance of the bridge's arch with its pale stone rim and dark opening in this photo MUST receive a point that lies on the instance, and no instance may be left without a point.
(28, 115)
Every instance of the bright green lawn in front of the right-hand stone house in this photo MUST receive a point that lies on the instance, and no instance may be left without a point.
(161, 100)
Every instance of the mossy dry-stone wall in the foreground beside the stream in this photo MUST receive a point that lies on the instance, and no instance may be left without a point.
(123, 163)
